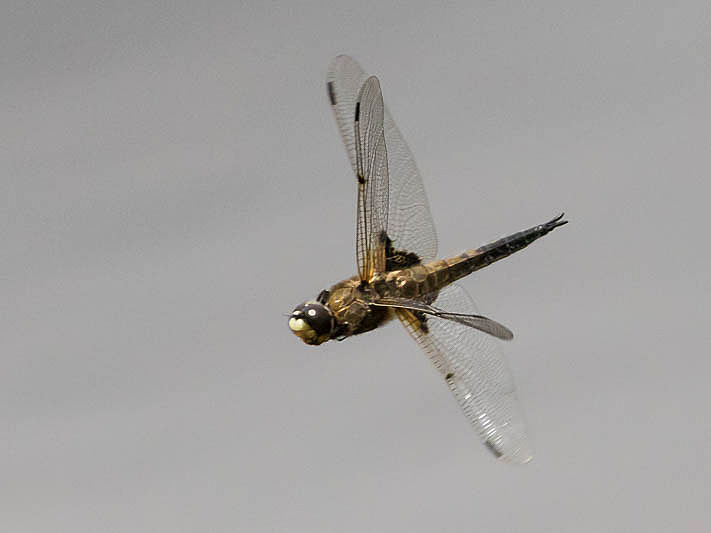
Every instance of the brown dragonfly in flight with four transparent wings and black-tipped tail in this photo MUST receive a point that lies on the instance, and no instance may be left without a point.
(399, 275)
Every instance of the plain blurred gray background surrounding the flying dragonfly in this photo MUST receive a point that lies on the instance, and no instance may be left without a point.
(174, 182)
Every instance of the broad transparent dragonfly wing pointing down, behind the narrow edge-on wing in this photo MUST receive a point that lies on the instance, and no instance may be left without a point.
(475, 371)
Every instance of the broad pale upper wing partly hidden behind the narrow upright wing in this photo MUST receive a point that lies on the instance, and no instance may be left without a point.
(409, 222)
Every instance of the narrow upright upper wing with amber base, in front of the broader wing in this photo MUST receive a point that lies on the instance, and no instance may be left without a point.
(372, 177)
